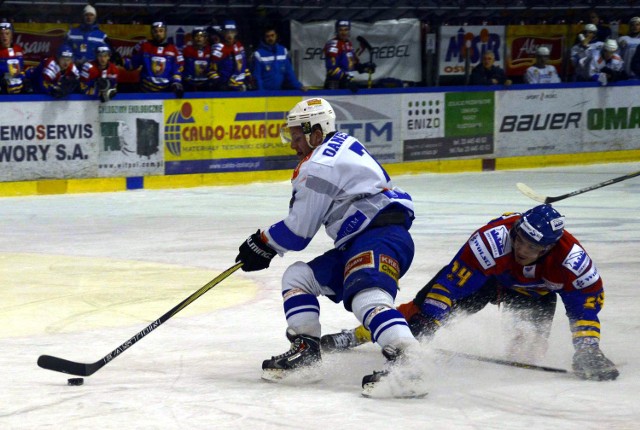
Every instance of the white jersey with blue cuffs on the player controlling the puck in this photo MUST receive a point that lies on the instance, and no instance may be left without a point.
(338, 185)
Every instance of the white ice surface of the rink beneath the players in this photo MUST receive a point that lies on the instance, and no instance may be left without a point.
(80, 274)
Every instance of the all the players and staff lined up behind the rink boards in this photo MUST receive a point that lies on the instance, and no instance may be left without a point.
(216, 60)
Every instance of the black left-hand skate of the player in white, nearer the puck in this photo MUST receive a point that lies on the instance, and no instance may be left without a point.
(304, 354)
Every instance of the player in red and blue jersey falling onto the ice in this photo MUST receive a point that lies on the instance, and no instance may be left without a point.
(521, 262)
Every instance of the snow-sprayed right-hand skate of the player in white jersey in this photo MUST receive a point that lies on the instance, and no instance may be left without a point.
(400, 379)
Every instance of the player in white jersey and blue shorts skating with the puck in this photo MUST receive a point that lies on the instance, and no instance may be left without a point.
(338, 184)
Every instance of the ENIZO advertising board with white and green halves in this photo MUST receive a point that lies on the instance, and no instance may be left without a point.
(445, 125)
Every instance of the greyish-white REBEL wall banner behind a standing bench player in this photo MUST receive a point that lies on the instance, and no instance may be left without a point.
(395, 49)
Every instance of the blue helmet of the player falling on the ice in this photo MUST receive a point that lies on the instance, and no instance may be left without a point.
(541, 225)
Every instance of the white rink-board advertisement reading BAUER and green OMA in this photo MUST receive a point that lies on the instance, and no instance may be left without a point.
(565, 121)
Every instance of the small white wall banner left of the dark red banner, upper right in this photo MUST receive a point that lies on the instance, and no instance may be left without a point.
(473, 40)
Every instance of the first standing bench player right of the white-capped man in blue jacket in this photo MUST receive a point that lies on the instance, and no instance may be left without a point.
(160, 63)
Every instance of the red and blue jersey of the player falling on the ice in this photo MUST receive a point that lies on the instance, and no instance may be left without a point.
(566, 270)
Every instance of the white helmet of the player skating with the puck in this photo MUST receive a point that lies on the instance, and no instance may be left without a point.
(307, 114)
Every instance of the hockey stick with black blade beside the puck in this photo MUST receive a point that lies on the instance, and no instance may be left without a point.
(87, 369)
